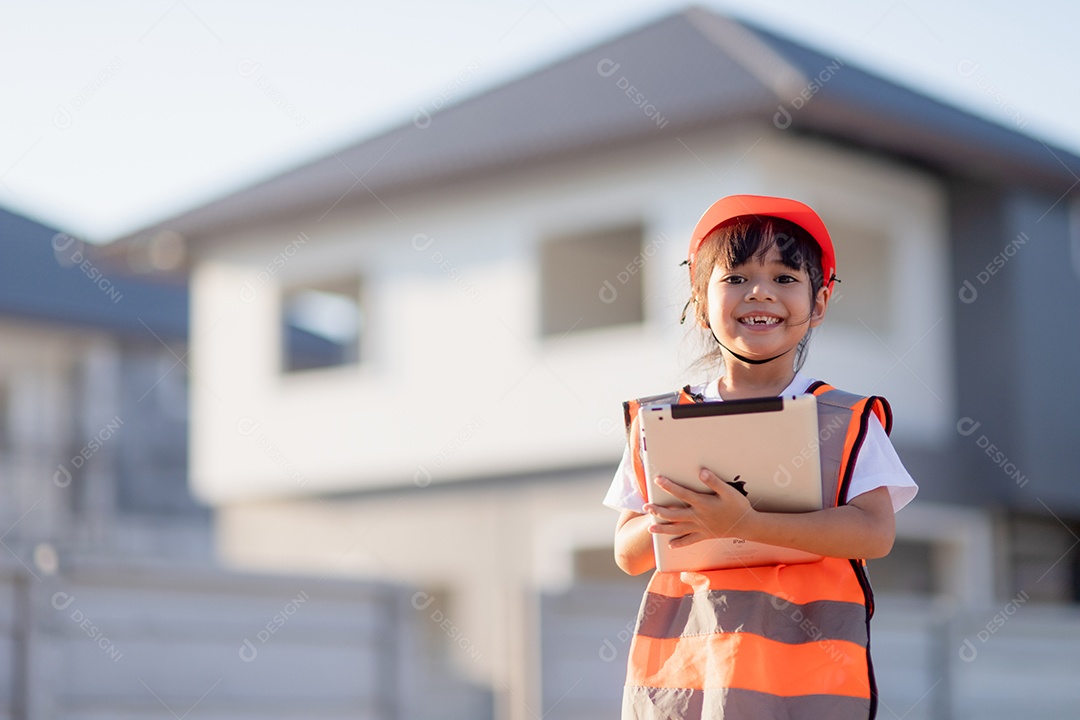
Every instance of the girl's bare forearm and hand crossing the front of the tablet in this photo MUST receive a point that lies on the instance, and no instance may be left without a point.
(865, 528)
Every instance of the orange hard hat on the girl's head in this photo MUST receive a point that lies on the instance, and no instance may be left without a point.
(734, 207)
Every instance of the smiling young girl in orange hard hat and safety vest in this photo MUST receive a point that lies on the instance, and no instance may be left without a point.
(780, 642)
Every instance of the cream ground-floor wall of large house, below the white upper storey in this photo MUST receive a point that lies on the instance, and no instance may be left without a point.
(478, 554)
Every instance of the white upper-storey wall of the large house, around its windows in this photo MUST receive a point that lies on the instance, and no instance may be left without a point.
(455, 381)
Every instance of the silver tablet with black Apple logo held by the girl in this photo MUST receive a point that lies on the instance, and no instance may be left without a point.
(766, 447)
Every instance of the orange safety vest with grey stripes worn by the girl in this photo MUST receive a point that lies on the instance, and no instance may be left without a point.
(778, 642)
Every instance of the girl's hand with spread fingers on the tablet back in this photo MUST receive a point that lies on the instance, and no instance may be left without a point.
(708, 515)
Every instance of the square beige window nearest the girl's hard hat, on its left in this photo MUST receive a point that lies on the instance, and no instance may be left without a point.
(591, 280)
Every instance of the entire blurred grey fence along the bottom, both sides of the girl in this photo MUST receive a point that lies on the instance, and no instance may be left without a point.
(106, 643)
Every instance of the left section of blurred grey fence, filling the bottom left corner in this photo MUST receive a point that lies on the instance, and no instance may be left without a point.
(107, 643)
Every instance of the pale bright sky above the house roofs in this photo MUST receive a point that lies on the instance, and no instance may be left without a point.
(121, 114)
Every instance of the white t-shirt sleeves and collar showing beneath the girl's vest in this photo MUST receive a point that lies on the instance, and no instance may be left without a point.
(877, 466)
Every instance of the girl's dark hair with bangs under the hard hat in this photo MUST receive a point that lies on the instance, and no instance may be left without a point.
(737, 242)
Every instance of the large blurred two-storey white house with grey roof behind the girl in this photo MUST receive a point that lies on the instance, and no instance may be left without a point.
(409, 357)
